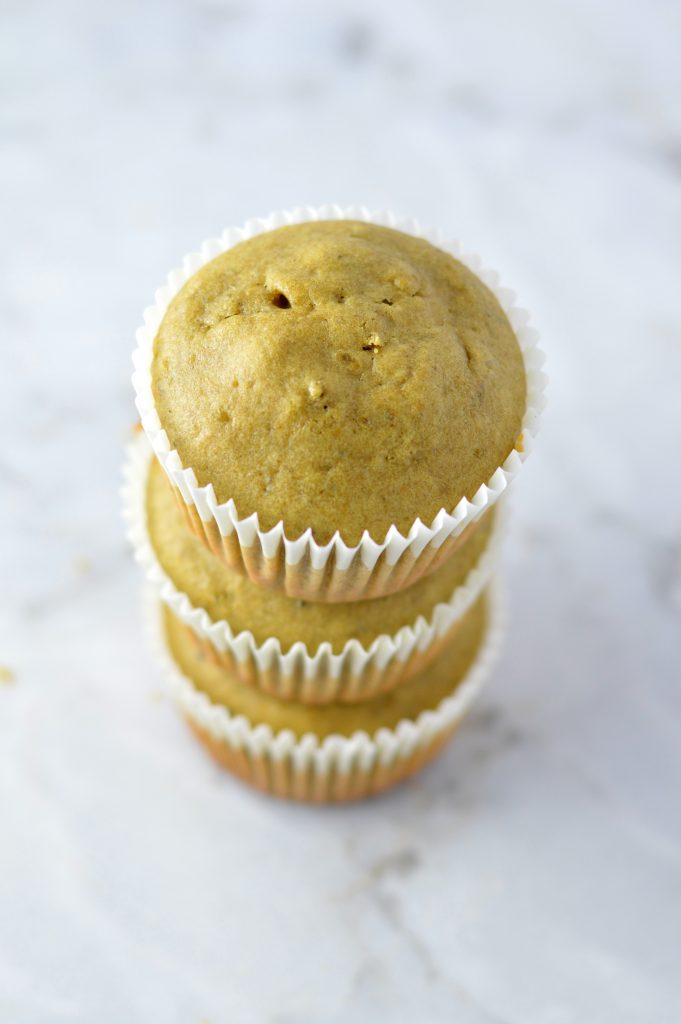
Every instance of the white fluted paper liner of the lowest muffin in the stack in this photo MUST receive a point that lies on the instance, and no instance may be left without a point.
(336, 769)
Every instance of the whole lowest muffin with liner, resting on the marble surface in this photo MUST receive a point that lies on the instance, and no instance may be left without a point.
(337, 752)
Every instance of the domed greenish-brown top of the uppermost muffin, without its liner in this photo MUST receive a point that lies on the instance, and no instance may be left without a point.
(338, 376)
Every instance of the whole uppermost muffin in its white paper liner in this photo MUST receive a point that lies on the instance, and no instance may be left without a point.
(331, 401)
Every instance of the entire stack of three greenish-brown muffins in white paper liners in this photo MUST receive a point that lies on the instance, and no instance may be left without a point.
(332, 404)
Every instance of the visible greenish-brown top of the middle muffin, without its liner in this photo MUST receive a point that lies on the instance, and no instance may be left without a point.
(229, 595)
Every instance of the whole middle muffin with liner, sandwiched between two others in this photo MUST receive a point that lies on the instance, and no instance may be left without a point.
(294, 650)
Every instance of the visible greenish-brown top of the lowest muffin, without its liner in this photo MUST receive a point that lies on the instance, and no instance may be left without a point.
(423, 692)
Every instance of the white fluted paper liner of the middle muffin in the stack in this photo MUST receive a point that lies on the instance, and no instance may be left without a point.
(357, 673)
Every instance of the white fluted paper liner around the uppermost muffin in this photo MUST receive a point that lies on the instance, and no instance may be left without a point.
(301, 566)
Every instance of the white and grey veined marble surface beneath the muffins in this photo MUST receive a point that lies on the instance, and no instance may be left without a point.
(533, 876)
